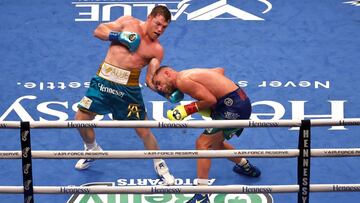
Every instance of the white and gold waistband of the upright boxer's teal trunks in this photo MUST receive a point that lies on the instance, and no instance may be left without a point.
(118, 75)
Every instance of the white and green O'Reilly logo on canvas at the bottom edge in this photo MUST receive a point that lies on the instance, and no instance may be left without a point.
(163, 198)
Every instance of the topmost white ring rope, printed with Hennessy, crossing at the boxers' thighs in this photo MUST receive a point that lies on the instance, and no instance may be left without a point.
(181, 124)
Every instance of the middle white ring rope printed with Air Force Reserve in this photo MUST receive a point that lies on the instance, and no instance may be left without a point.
(138, 154)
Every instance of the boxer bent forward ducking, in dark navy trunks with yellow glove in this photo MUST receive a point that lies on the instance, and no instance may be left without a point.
(218, 97)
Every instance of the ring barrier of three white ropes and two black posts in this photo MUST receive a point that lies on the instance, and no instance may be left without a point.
(303, 153)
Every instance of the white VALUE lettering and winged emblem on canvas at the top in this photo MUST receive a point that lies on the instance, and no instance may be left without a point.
(101, 10)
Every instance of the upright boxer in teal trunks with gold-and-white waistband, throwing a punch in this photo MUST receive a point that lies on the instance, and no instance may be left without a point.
(134, 44)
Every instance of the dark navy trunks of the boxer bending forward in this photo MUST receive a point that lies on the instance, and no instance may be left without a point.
(233, 106)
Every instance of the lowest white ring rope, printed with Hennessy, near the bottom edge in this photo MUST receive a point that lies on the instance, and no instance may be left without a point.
(181, 189)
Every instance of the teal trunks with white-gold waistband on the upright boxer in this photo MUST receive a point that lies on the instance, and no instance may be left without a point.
(115, 90)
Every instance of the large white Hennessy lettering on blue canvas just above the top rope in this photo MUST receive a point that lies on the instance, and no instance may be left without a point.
(296, 110)
